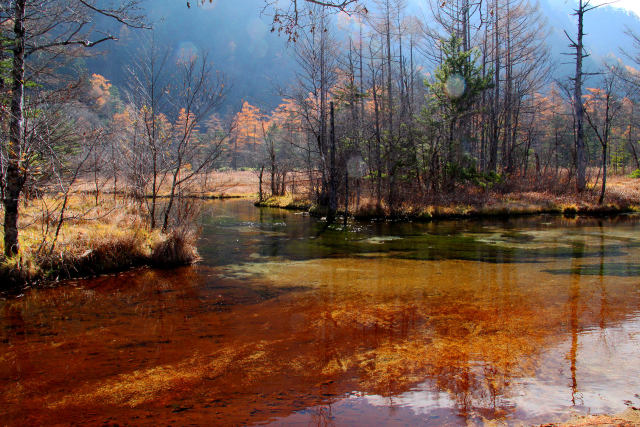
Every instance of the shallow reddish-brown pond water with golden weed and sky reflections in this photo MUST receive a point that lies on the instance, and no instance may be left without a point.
(288, 321)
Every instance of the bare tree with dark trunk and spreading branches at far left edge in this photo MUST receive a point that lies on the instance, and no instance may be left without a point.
(53, 29)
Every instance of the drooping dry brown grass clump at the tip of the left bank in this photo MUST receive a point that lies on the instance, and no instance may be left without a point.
(177, 248)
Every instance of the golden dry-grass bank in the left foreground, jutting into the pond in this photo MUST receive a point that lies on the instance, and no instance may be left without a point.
(109, 237)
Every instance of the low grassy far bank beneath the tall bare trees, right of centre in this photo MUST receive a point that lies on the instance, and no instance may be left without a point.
(623, 196)
